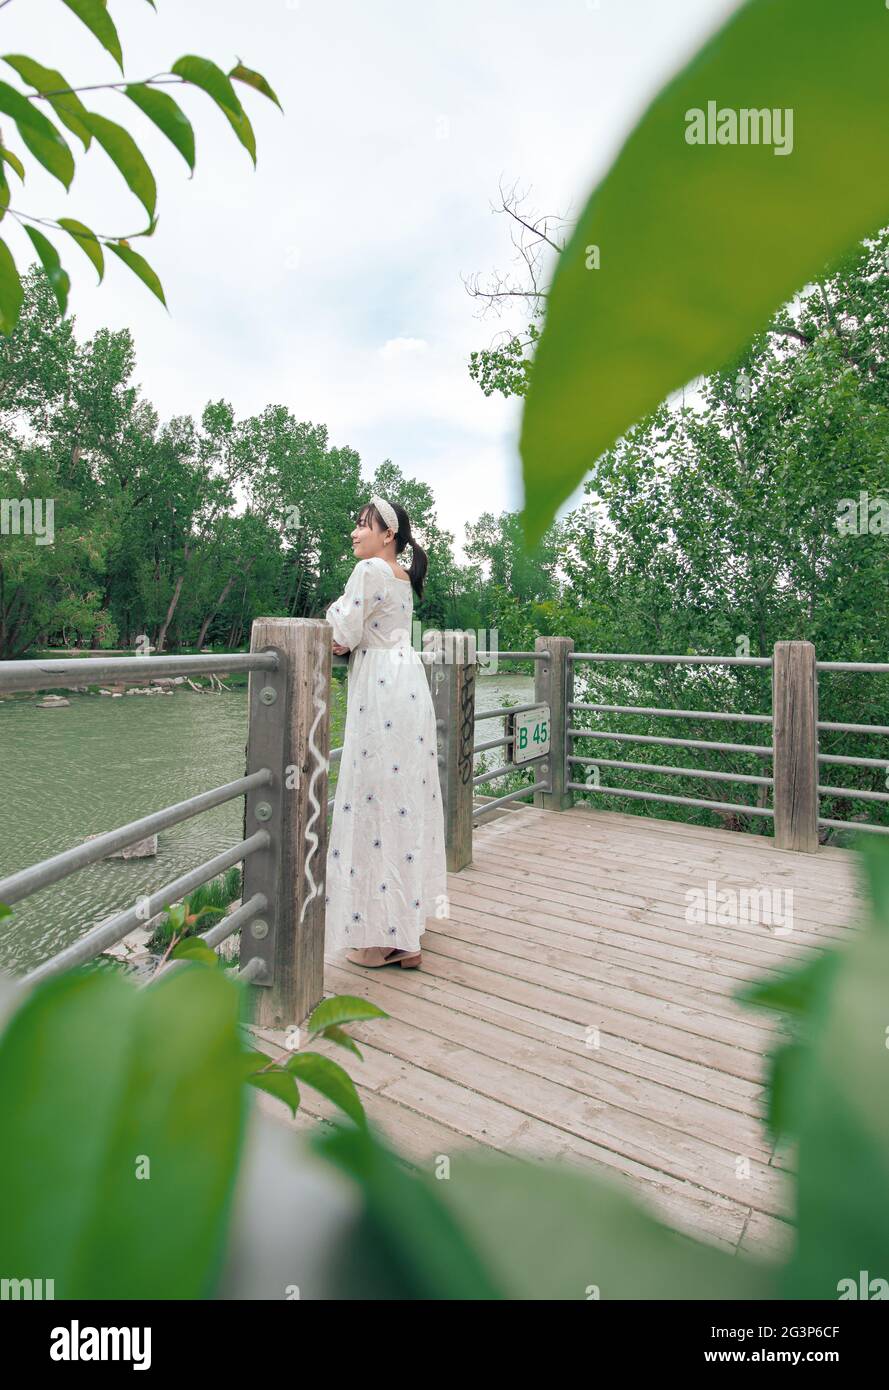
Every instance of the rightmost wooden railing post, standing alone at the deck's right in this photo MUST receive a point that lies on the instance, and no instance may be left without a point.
(795, 746)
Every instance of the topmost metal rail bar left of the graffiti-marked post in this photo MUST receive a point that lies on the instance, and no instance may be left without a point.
(88, 671)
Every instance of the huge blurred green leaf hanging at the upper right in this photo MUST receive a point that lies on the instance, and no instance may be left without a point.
(699, 244)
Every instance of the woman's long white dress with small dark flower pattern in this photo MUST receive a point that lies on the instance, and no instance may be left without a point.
(385, 868)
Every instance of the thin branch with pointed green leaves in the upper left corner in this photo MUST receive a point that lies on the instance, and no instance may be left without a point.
(45, 88)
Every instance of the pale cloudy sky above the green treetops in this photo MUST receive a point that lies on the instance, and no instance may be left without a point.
(330, 279)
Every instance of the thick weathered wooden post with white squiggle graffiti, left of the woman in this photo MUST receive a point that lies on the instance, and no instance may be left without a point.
(290, 732)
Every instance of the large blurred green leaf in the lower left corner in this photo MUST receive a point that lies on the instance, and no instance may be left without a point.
(97, 1078)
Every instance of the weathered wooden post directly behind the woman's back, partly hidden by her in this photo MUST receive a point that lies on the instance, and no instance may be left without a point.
(452, 678)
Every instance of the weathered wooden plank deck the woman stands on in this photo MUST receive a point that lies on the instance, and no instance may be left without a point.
(569, 1011)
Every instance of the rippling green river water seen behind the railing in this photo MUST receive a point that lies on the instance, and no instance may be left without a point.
(99, 764)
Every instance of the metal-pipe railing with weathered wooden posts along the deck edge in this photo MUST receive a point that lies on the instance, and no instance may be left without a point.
(284, 843)
